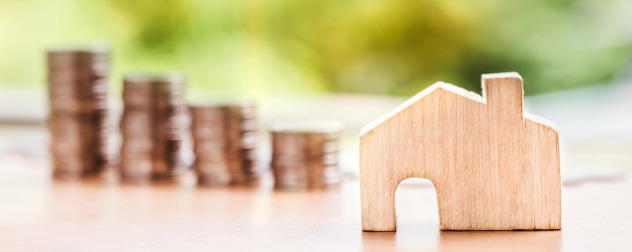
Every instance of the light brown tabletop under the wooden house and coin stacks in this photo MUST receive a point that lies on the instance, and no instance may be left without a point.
(39, 214)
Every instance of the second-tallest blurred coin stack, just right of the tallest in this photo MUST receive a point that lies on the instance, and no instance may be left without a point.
(154, 126)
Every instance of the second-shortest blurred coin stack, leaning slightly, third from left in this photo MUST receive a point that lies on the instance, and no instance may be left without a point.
(225, 141)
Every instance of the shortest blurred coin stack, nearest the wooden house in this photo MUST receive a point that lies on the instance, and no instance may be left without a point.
(305, 154)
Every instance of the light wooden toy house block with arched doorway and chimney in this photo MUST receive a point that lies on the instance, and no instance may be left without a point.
(493, 166)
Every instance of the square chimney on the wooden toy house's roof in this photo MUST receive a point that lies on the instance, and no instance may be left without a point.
(503, 92)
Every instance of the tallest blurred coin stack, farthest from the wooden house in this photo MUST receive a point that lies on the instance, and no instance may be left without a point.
(78, 116)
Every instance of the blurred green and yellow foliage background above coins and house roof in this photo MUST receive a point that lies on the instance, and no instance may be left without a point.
(362, 46)
